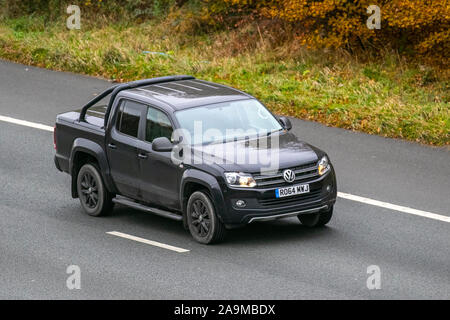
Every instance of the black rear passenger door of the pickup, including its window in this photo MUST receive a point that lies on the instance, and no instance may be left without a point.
(121, 143)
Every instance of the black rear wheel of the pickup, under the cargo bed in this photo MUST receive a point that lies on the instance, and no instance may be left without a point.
(94, 198)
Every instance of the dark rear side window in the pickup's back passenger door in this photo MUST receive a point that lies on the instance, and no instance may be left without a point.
(128, 118)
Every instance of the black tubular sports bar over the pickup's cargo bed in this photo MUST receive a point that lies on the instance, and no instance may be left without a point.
(114, 90)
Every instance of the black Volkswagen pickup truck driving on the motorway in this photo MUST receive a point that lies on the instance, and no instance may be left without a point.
(195, 151)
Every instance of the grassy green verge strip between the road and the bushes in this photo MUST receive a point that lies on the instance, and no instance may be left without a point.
(388, 97)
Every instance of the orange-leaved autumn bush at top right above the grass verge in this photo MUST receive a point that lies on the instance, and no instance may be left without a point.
(417, 26)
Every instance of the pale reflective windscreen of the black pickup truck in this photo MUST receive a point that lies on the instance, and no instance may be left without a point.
(226, 121)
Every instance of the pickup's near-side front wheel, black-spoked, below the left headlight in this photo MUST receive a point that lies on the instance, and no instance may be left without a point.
(203, 223)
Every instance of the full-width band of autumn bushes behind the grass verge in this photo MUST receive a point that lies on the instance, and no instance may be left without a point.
(413, 27)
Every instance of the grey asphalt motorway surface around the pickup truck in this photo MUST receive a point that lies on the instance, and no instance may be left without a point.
(43, 230)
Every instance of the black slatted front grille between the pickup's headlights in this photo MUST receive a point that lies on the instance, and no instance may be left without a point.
(276, 179)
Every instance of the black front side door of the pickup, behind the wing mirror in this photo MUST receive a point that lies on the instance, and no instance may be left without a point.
(160, 177)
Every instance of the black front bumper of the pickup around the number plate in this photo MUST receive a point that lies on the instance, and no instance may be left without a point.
(262, 205)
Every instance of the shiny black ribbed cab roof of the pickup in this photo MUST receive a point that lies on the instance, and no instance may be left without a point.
(189, 93)
